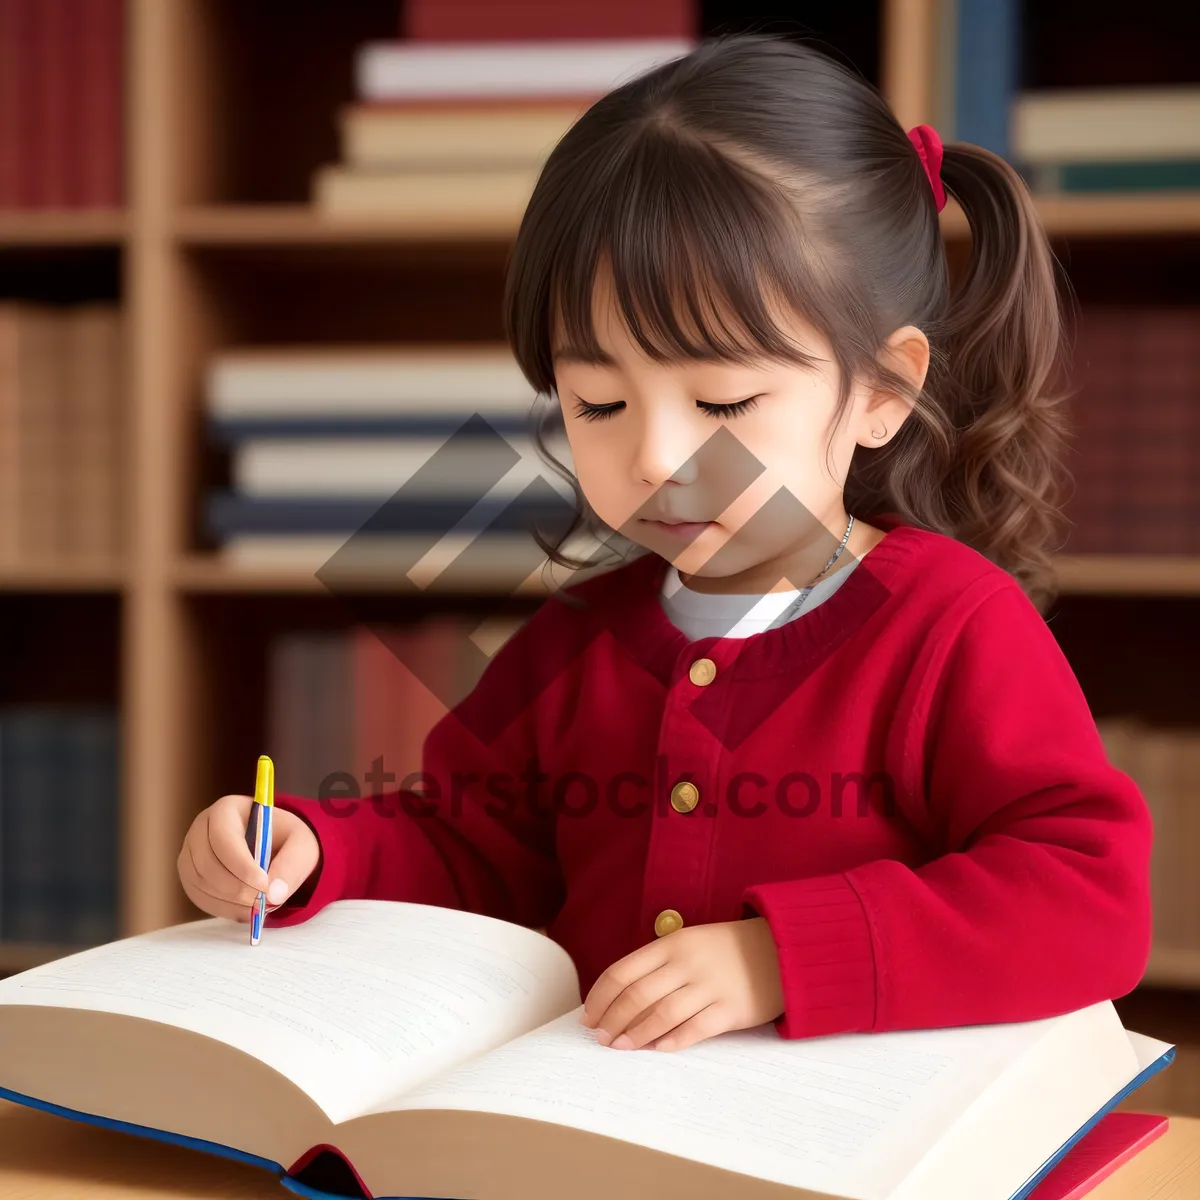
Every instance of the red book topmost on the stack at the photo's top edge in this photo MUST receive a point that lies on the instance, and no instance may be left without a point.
(512, 21)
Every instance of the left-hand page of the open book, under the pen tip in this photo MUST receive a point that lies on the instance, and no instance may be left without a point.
(365, 999)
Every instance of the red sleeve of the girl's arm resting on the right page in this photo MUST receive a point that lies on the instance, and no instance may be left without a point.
(1040, 903)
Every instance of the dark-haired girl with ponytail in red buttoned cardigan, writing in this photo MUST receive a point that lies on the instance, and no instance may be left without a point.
(814, 758)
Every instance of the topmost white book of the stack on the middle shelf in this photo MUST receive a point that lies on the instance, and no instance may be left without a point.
(323, 382)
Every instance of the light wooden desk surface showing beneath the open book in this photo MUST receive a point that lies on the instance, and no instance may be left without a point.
(45, 1157)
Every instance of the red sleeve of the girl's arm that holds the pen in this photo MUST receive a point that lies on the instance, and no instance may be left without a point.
(476, 836)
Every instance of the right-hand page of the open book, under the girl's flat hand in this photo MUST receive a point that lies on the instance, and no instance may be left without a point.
(849, 1114)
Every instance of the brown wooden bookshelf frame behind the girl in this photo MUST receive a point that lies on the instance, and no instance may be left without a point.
(215, 244)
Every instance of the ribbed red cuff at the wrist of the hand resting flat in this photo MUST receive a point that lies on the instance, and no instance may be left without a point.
(826, 956)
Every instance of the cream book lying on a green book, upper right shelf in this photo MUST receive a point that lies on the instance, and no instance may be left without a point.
(1107, 124)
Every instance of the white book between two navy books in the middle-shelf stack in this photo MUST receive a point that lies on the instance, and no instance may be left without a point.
(379, 467)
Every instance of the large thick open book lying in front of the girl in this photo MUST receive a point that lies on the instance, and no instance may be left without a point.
(441, 1054)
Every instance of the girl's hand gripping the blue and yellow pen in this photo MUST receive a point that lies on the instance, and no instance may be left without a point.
(219, 873)
